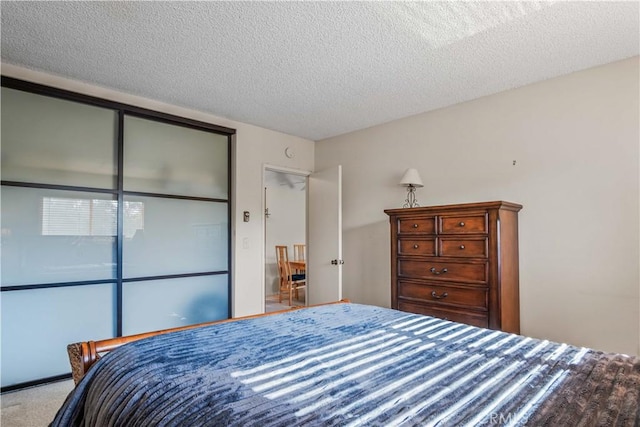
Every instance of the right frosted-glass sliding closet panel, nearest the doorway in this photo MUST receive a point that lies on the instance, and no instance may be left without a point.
(176, 248)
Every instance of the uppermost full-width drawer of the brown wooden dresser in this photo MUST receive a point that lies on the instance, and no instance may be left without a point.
(447, 271)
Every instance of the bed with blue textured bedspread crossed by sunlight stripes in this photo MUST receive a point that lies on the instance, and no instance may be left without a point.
(350, 365)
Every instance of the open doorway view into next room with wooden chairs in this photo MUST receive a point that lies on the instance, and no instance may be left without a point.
(285, 225)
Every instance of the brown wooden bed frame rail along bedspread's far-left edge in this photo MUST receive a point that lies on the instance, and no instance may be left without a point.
(82, 355)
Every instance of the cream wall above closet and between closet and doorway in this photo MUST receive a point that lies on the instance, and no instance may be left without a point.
(253, 146)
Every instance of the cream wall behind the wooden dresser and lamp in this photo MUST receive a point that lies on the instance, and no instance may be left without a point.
(575, 142)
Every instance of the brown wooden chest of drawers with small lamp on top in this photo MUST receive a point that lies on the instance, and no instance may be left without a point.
(457, 262)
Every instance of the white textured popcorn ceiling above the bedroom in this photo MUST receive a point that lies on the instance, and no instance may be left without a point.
(316, 69)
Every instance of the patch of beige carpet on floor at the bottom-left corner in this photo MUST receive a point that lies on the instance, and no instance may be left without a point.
(35, 406)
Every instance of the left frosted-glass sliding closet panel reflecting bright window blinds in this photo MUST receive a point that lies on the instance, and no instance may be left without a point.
(59, 206)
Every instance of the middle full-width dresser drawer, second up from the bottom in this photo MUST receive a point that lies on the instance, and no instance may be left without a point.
(467, 296)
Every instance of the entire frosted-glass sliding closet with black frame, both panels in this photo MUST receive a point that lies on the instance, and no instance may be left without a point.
(115, 221)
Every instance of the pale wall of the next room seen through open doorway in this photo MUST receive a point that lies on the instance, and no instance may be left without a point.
(286, 225)
